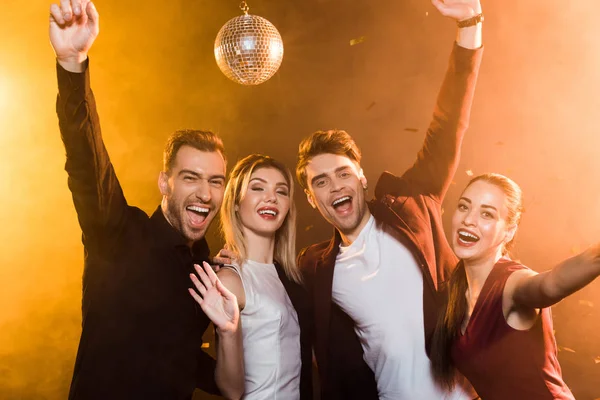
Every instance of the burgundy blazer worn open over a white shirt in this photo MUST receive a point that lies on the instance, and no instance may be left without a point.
(412, 204)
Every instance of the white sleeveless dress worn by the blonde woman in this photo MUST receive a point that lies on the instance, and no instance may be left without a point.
(271, 335)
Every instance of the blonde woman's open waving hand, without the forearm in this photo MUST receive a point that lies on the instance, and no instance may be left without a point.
(218, 303)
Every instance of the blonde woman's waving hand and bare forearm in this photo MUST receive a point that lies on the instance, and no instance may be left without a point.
(221, 306)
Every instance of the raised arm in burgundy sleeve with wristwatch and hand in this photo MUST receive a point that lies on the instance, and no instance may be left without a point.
(437, 161)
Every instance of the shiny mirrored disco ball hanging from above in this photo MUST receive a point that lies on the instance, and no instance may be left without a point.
(248, 49)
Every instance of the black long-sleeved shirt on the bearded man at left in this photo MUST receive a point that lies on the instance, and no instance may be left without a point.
(141, 330)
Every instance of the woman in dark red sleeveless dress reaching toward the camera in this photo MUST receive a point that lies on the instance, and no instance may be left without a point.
(496, 329)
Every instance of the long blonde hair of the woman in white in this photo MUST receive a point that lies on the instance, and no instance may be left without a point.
(231, 224)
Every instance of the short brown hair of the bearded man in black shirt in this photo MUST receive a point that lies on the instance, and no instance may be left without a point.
(200, 140)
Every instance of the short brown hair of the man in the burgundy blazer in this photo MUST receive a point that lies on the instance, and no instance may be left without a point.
(333, 141)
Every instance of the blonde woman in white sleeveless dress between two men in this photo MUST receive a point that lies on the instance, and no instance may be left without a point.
(258, 220)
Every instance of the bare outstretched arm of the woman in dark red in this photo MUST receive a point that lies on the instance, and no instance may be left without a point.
(526, 289)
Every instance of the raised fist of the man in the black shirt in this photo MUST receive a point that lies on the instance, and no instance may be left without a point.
(74, 25)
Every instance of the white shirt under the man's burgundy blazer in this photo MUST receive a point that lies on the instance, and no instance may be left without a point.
(378, 283)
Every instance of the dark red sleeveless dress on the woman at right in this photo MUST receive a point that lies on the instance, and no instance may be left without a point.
(502, 362)
